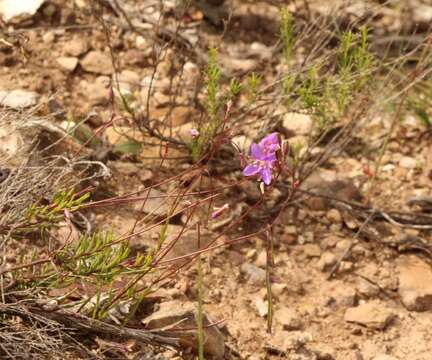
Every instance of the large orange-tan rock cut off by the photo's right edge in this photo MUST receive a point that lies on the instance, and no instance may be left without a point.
(415, 283)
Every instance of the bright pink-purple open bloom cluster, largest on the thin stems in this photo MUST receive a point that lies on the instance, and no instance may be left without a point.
(263, 158)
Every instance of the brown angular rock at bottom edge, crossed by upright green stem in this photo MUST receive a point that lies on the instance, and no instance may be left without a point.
(175, 315)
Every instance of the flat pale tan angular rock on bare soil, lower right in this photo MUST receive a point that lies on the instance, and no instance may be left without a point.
(372, 315)
